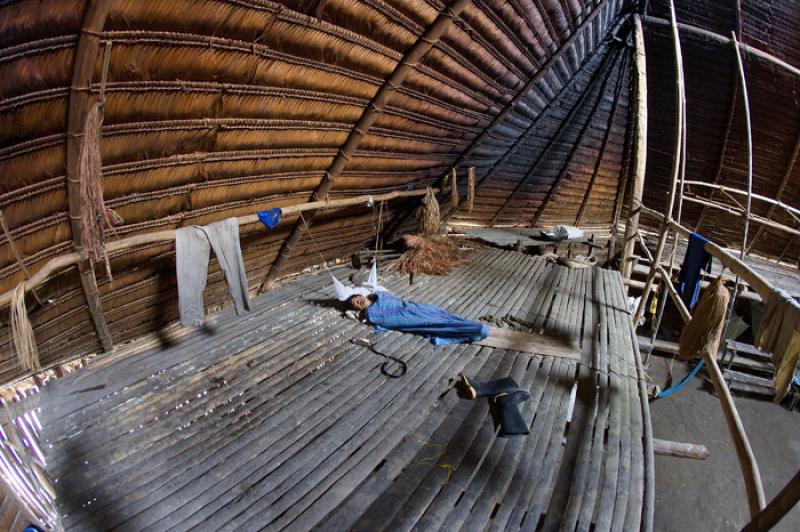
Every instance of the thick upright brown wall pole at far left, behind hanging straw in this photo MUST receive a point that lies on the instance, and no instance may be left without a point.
(82, 71)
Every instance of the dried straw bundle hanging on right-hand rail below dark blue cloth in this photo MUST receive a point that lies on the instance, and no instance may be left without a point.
(703, 332)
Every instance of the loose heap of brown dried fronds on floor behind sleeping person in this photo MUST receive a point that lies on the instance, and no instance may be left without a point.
(431, 255)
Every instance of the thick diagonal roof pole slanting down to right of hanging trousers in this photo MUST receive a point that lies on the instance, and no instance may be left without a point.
(422, 46)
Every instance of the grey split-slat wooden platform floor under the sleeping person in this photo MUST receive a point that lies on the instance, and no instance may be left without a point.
(274, 420)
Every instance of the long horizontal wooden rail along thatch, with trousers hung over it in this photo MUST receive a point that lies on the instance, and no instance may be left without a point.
(62, 262)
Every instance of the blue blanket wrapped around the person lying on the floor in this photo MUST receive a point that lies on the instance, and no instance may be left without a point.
(392, 313)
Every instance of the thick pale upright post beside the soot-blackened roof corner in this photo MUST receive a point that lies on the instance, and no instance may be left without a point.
(640, 150)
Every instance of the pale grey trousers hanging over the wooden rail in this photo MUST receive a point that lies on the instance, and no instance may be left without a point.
(192, 251)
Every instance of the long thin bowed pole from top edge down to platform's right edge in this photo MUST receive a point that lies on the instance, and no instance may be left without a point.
(676, 164)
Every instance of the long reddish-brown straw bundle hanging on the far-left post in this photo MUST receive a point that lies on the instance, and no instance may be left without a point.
(93, 210)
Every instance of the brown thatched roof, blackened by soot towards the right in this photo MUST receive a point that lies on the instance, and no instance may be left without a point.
(221, 108)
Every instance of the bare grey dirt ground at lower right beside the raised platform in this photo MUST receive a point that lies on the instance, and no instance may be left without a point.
(709, 494)
